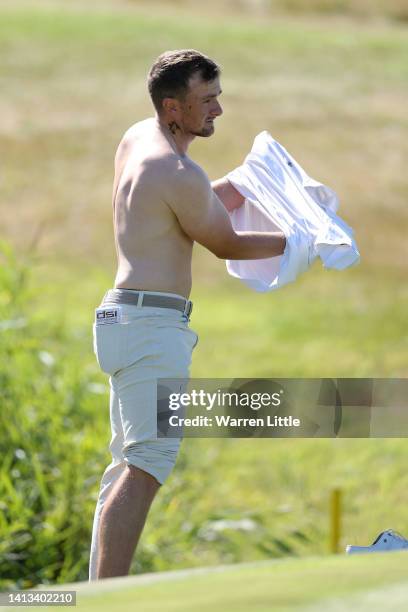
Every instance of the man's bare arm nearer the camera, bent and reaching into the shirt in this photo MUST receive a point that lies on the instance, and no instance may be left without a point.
(204, 219)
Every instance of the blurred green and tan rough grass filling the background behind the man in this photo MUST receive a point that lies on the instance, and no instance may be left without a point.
(332, 90)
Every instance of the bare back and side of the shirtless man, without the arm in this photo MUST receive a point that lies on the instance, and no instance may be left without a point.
(153, 252)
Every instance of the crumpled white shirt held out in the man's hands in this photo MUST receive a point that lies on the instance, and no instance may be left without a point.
(280, 196)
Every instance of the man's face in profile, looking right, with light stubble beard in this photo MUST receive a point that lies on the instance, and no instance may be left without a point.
(200, 107)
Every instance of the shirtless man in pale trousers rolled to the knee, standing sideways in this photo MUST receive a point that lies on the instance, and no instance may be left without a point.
(162, 203)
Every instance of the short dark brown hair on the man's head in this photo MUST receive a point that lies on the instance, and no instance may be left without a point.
(171, 72)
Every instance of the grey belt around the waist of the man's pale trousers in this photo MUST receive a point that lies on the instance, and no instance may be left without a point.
(148, 298)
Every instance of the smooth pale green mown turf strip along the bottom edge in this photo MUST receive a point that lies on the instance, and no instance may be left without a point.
(374, 583)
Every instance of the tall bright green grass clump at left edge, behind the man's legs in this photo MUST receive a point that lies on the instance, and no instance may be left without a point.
(48, 462)
